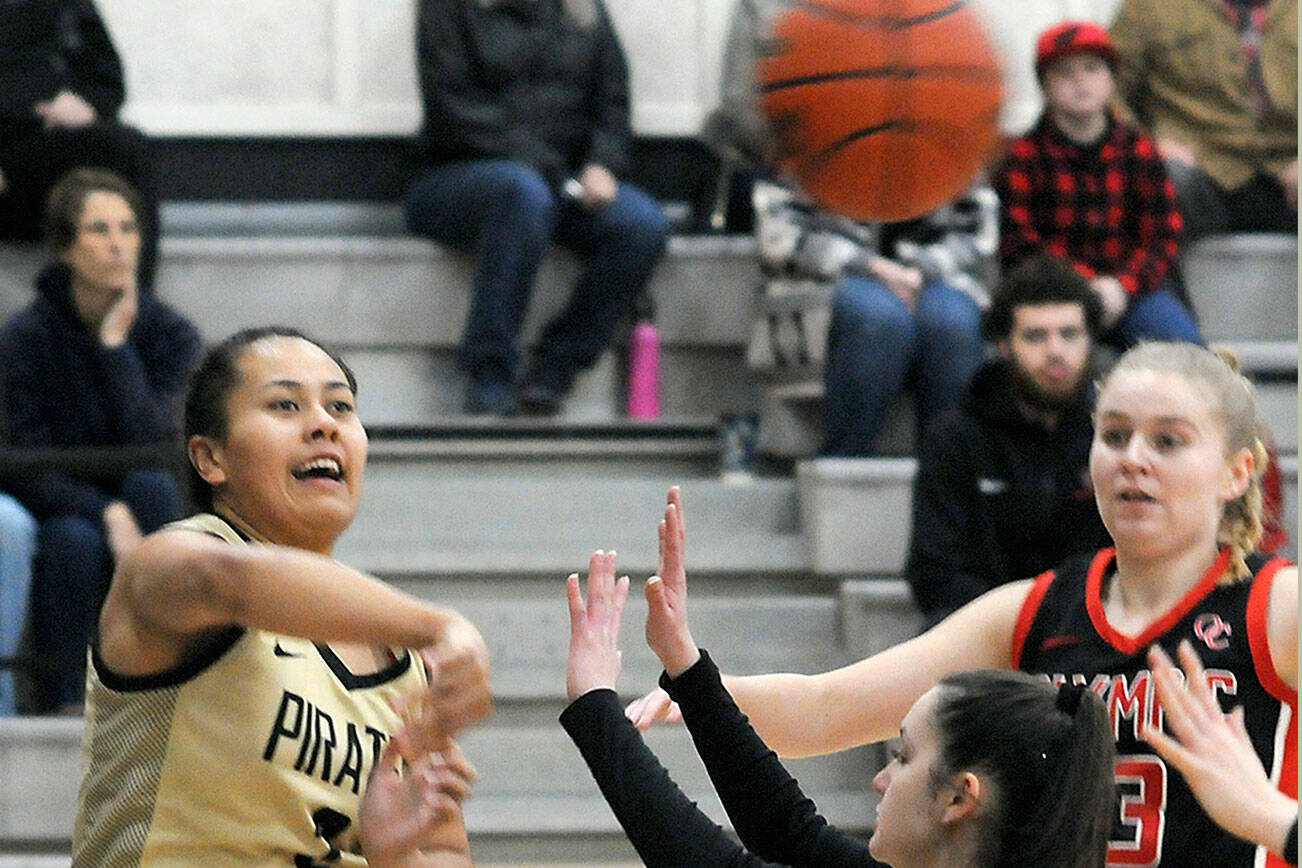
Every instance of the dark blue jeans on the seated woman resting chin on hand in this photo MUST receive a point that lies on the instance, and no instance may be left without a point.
(72, 573)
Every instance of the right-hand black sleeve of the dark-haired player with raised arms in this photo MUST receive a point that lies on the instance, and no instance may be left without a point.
(773, 817)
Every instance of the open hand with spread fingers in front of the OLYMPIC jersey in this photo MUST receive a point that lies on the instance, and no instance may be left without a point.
(1213, 752)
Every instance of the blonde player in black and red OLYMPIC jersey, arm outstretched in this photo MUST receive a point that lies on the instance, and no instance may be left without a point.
(1176, 467)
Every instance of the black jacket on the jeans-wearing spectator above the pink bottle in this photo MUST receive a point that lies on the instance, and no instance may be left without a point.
(544, 83)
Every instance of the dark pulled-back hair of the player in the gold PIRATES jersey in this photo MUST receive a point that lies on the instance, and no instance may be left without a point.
(214, 379)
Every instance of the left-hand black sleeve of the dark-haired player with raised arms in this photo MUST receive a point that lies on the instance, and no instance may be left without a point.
(666, 828)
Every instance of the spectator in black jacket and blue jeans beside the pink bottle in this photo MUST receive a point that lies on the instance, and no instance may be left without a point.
(527, 133)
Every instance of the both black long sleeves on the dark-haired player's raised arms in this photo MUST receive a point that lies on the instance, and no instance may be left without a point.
(771, 814)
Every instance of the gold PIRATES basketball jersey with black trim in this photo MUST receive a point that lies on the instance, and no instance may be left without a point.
(256, 754)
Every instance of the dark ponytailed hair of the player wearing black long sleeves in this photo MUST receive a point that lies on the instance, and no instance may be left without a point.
(1046, 755)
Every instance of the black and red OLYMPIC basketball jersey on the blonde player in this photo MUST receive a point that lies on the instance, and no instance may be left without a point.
(1063, 633)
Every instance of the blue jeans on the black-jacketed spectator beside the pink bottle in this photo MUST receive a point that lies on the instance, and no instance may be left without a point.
(508, 215)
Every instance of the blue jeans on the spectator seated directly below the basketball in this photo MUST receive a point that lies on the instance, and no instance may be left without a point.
(877, 346)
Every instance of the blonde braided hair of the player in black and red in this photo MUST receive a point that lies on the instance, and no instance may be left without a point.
(1235, 407)
